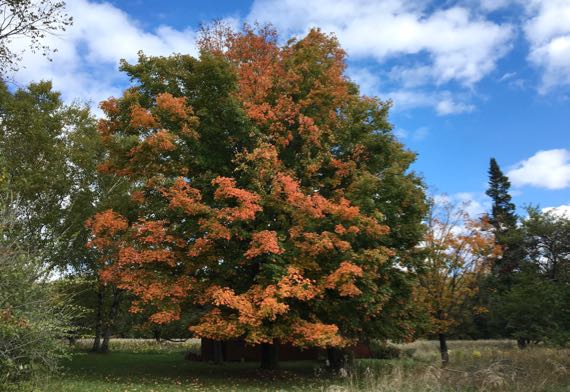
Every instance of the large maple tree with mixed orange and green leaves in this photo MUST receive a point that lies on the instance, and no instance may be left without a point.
(270, 195)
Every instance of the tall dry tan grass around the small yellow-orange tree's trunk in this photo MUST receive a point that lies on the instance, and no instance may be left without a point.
(474, 366)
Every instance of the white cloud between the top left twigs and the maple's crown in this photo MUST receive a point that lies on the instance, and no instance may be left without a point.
(85, 65)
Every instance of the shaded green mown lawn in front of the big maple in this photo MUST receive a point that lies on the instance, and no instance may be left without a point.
(123, 371)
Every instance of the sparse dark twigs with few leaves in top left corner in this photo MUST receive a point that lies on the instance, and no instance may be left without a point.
(31, 20)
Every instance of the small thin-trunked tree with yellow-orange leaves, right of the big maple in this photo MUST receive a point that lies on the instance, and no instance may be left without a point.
(457, 250)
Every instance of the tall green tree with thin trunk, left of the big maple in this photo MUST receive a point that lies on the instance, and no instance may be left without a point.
(50, 152)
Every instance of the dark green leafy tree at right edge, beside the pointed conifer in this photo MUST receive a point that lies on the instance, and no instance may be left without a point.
(535, 308)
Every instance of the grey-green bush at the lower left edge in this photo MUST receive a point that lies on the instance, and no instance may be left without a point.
(33, 318)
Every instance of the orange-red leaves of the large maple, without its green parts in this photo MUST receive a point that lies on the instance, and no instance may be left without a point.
(292, 97)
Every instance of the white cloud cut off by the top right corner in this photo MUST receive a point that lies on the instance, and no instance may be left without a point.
(548, 33)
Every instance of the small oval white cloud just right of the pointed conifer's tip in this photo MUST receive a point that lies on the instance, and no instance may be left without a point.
(548, 169)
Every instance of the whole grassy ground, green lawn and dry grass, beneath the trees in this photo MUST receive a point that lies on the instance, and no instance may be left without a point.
(474, 366)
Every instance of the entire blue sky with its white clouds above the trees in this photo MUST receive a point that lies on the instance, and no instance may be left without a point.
(470, 79)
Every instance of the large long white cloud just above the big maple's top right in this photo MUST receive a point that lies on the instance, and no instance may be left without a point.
(458, 45)
